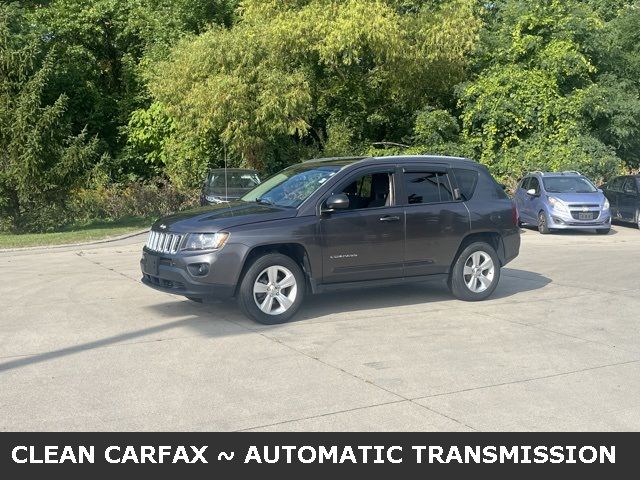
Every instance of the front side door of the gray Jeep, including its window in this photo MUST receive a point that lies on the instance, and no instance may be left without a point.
(365, 241)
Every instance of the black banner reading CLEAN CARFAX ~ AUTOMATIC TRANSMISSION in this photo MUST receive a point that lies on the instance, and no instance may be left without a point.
(201, 455)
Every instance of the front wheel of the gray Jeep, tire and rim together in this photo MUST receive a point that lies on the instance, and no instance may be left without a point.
(272, 289)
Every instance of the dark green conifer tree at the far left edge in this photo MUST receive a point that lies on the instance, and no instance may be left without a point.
(40, 159)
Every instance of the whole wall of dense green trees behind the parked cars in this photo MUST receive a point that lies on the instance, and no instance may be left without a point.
(106, 96)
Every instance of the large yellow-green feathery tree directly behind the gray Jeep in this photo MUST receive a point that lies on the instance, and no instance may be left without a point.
(317, 75)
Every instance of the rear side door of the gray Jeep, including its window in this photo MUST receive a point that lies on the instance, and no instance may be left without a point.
(435, 219)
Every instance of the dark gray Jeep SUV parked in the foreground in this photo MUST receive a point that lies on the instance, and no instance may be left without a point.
(336, 223)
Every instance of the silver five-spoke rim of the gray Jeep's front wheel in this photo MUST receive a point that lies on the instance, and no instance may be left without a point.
(275, 290)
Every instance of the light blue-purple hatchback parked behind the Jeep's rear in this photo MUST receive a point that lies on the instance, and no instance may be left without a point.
(558, 201)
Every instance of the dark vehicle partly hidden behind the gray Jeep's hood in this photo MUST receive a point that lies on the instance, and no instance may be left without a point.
(223, 185)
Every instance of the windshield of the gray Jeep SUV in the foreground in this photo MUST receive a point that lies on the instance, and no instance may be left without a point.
(292, 186)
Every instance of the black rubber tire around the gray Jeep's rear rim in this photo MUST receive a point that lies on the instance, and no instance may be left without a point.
(458, 280)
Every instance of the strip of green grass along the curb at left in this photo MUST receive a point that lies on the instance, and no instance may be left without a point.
(95, 230)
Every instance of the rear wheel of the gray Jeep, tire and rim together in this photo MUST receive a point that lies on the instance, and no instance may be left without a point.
(475, 273)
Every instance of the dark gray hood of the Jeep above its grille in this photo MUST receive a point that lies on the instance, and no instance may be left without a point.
(222, 216)
